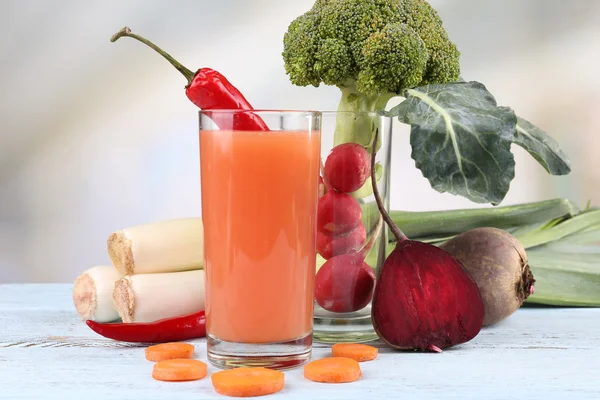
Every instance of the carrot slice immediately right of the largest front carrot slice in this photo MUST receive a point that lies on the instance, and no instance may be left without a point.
(333, 370)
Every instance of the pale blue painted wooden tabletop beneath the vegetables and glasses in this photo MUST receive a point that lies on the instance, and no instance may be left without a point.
(47, 352)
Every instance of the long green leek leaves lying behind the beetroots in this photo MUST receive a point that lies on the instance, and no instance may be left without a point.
(562, 243)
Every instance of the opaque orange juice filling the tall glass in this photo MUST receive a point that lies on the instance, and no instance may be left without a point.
(259, 202)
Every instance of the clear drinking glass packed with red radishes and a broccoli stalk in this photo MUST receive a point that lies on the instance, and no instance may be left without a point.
(343, 286)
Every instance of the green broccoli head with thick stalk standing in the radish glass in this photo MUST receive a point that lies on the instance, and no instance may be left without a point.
(372, 50)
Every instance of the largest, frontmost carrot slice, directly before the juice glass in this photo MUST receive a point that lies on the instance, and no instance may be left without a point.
(247, 381)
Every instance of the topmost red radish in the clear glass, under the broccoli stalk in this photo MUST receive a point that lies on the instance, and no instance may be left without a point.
(347, 167)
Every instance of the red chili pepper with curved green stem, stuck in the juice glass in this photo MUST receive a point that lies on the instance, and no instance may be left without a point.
(208, 89)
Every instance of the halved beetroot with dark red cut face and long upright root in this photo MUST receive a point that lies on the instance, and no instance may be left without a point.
(425, 299)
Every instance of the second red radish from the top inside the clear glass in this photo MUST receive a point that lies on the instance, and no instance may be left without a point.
(338, 214)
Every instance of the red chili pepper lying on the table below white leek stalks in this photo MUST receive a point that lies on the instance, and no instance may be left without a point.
(185, 327)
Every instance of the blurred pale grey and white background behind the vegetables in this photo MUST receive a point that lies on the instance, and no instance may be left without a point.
(98, 136)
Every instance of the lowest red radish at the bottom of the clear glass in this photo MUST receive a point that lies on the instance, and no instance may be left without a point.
(344, 284)
